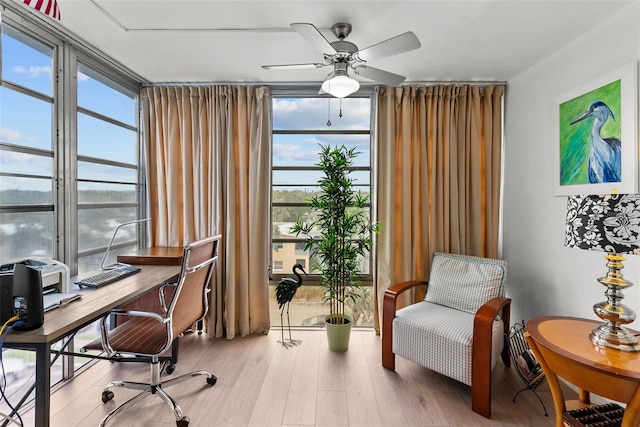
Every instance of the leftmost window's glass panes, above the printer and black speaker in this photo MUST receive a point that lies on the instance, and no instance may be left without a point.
(28, 97)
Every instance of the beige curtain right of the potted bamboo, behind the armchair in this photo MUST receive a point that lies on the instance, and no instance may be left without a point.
(438, 182)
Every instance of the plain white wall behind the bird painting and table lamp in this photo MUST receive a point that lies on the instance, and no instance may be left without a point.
(545, 277)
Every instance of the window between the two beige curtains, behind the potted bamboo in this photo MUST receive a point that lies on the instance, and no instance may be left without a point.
(300, 126)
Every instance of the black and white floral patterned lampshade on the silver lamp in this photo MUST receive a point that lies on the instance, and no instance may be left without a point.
(609, 223)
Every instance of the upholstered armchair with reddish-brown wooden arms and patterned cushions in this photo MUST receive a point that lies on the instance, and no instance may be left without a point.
(460, 327)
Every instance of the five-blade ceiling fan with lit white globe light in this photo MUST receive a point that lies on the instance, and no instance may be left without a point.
(342, 55)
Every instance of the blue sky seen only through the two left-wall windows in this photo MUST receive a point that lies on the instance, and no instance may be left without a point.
(28, 63)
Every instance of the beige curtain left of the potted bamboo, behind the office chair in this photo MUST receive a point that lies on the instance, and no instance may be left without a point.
(208, 172)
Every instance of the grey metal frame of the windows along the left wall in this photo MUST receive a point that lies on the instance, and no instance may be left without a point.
(68, 52)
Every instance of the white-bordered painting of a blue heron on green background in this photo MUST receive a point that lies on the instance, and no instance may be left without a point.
(596, 137)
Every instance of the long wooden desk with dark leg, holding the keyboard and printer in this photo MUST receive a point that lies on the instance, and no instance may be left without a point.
(62, 321)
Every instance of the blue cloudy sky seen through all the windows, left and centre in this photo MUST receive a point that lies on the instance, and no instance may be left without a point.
(29, 64)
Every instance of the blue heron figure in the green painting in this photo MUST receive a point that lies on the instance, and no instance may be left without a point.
(605, 158)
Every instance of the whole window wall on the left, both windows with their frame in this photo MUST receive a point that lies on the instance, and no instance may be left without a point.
(69, 156)
